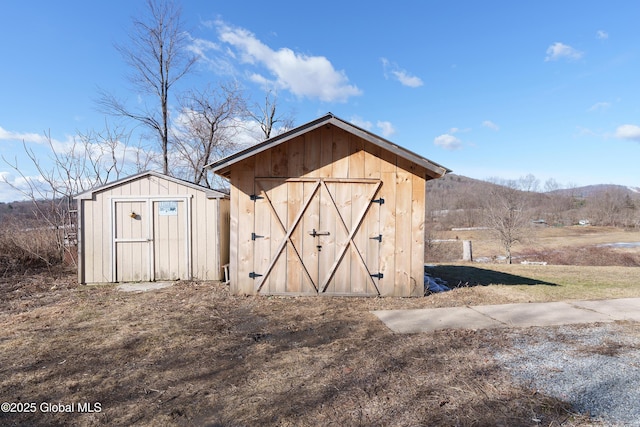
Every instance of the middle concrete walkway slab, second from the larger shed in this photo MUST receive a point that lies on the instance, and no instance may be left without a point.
(541, 314)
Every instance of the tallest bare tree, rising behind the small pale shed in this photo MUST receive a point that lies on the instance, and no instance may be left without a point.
(158, 58)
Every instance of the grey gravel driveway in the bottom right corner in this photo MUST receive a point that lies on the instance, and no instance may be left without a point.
(594, 367)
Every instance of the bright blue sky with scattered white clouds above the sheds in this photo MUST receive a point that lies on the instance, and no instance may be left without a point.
(488, 89)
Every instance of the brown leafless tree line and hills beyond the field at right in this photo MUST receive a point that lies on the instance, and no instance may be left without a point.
(508, 208)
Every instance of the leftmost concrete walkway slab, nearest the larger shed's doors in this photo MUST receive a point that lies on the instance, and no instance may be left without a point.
(432, 319)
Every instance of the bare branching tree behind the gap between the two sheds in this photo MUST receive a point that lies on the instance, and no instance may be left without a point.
(208, 125)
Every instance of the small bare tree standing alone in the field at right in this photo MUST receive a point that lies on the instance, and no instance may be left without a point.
(506, 214)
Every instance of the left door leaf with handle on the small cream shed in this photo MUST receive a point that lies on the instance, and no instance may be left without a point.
(132, 241)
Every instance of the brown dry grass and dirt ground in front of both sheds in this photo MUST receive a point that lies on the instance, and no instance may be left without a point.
(191, 354)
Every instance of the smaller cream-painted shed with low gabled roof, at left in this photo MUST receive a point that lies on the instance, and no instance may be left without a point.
(150, 227)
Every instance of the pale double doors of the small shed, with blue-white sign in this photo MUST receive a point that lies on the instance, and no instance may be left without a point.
(150, 240)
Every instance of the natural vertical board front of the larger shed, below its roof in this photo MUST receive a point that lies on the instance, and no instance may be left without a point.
(328, 152)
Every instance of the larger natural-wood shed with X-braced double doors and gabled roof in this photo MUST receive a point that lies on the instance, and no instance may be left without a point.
(327, 208)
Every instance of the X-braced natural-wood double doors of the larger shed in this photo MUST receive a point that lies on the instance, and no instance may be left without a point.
(317, 236)
